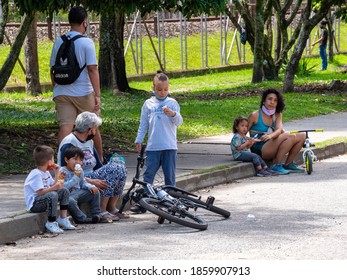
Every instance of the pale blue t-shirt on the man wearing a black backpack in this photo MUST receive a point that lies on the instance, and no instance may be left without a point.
(85, 54)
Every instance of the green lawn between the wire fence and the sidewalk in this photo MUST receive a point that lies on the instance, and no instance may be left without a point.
(205, 111)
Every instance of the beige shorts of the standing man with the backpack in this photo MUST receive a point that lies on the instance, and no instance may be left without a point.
(68, 107)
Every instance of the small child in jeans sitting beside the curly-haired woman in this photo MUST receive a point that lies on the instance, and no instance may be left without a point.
(240, 147)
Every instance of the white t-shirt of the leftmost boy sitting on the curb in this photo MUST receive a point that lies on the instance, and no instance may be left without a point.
(35, 181)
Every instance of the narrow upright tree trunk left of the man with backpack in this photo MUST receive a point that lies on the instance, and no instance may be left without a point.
(31, 61)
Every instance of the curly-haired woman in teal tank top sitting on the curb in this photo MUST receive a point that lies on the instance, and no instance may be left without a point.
(266, 124)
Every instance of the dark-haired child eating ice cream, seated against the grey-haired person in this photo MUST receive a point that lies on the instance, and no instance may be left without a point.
(80, 190)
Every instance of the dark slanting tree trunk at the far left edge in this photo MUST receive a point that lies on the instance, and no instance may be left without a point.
(10, 62)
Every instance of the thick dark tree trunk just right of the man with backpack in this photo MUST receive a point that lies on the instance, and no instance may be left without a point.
(111, 54)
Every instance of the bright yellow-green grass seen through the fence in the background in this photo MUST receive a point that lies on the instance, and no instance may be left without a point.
(150, 63)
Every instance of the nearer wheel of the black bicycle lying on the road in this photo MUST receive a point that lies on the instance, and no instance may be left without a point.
(172, 213)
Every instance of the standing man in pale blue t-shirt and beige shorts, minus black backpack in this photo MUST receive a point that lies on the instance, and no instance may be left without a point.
(84, 93)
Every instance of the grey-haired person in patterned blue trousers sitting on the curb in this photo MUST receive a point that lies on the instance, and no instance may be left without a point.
(110, 178)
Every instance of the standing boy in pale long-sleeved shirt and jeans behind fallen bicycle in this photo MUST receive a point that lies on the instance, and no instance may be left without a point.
(160, 116)
